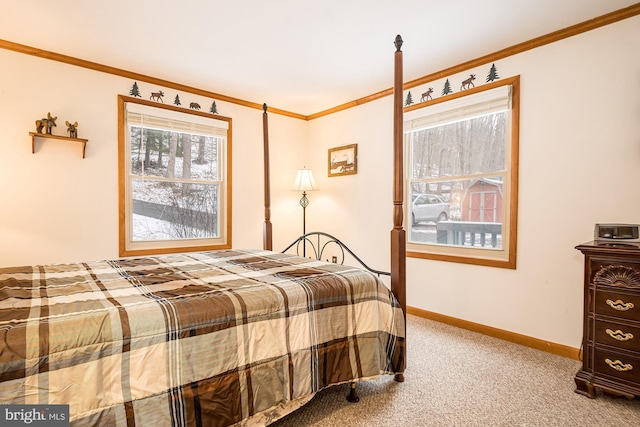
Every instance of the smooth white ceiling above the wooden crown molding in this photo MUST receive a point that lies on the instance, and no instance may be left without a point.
(298, 56)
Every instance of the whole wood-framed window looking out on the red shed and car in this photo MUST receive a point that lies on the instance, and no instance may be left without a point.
(462, 175)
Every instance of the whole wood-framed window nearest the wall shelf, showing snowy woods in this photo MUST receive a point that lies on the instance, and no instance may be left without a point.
(174, 179)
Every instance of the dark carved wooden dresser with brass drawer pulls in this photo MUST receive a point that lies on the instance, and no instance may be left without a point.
(611, 340)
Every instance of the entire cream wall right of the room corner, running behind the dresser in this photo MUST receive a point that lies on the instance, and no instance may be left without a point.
(579, 165)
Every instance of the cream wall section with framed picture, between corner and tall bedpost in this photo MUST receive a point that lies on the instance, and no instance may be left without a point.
(356, 208)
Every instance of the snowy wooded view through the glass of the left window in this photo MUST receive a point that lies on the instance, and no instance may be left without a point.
(174, 196)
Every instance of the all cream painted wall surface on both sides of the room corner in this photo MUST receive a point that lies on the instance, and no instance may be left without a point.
(579, 165)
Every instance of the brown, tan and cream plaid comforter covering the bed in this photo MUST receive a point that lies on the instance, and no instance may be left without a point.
(209, 338)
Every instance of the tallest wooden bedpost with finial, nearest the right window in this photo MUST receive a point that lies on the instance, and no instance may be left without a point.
(398, 235)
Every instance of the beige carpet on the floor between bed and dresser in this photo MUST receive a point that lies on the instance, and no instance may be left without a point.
(459, 378)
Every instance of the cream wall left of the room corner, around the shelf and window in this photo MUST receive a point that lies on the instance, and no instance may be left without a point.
(57, 207)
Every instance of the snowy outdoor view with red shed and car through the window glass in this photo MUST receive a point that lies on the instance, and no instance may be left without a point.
(462, 164)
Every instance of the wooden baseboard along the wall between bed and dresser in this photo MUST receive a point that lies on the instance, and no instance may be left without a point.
(550, 347)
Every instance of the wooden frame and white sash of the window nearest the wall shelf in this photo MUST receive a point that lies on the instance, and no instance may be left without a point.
(131, 109)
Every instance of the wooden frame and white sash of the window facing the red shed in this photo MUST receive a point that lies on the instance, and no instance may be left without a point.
(440, 110)
